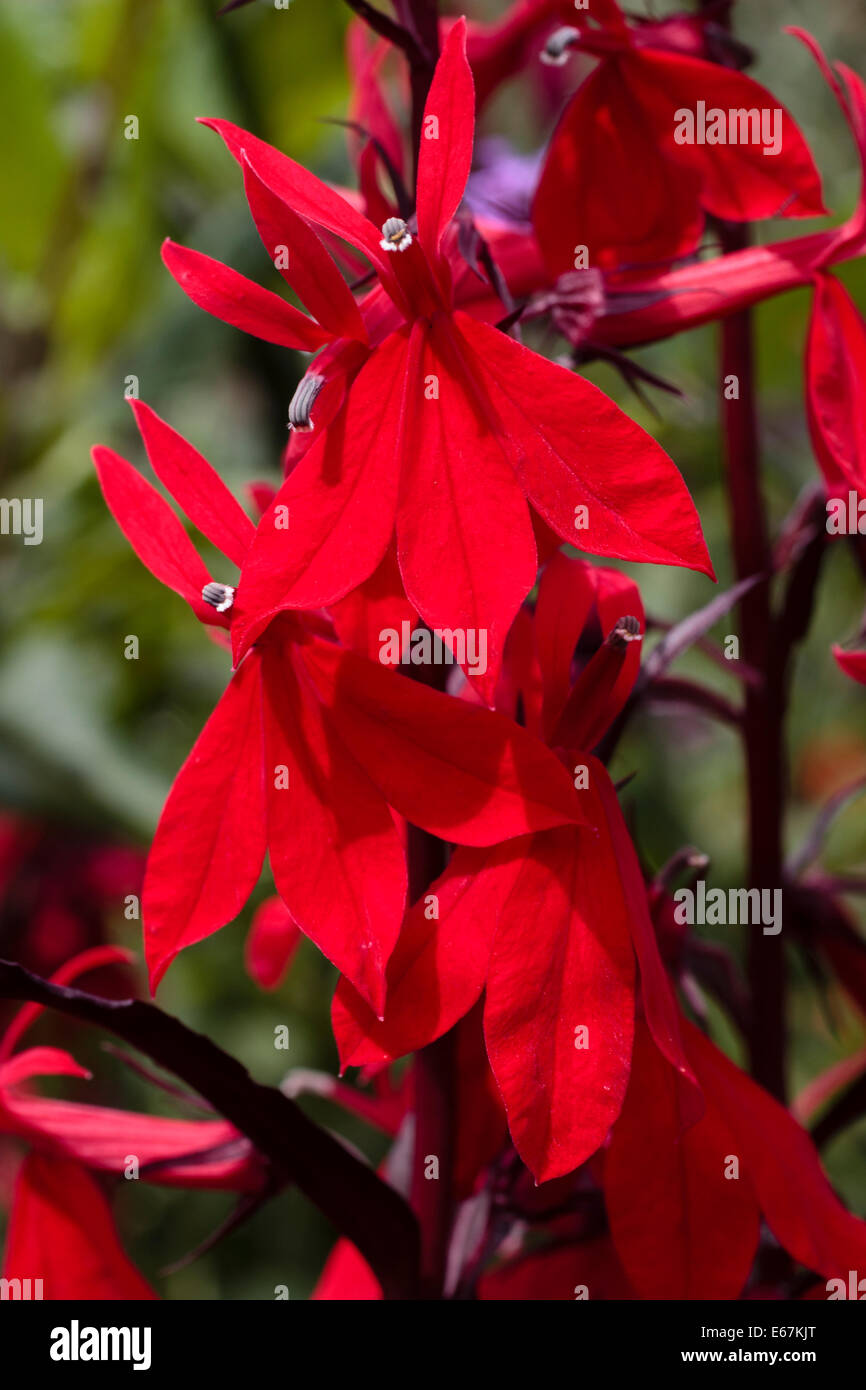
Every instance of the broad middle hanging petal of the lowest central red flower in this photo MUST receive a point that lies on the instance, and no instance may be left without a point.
(562, 1097)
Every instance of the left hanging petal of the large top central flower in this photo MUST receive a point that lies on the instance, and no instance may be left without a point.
(332, 522)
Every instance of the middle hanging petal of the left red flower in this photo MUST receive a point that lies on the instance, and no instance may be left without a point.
(336, 854)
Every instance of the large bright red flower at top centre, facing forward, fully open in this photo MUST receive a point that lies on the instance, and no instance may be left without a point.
(423, 418)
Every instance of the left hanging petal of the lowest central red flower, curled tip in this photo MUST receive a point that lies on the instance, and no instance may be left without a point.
(440, 964)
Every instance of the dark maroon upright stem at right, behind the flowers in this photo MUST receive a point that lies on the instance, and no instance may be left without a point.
(765, 704)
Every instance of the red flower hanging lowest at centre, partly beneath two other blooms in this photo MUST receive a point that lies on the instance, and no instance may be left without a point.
(558, 1020)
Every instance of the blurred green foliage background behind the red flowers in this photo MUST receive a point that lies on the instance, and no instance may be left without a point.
(90, 742)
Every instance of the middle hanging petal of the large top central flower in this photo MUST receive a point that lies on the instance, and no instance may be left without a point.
(459, 507)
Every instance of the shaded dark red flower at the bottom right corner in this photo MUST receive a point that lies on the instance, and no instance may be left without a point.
(689, 1228)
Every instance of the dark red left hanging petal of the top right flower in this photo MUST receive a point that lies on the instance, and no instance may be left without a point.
(608, 187)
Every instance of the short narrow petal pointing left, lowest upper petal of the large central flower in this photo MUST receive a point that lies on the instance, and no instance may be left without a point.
(223, 293)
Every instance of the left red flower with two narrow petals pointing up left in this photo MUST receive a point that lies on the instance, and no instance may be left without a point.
(309, 754)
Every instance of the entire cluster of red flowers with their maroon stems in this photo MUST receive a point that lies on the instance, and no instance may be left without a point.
(455, 844)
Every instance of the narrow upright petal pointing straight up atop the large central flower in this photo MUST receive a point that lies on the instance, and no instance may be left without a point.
(446, 154)
